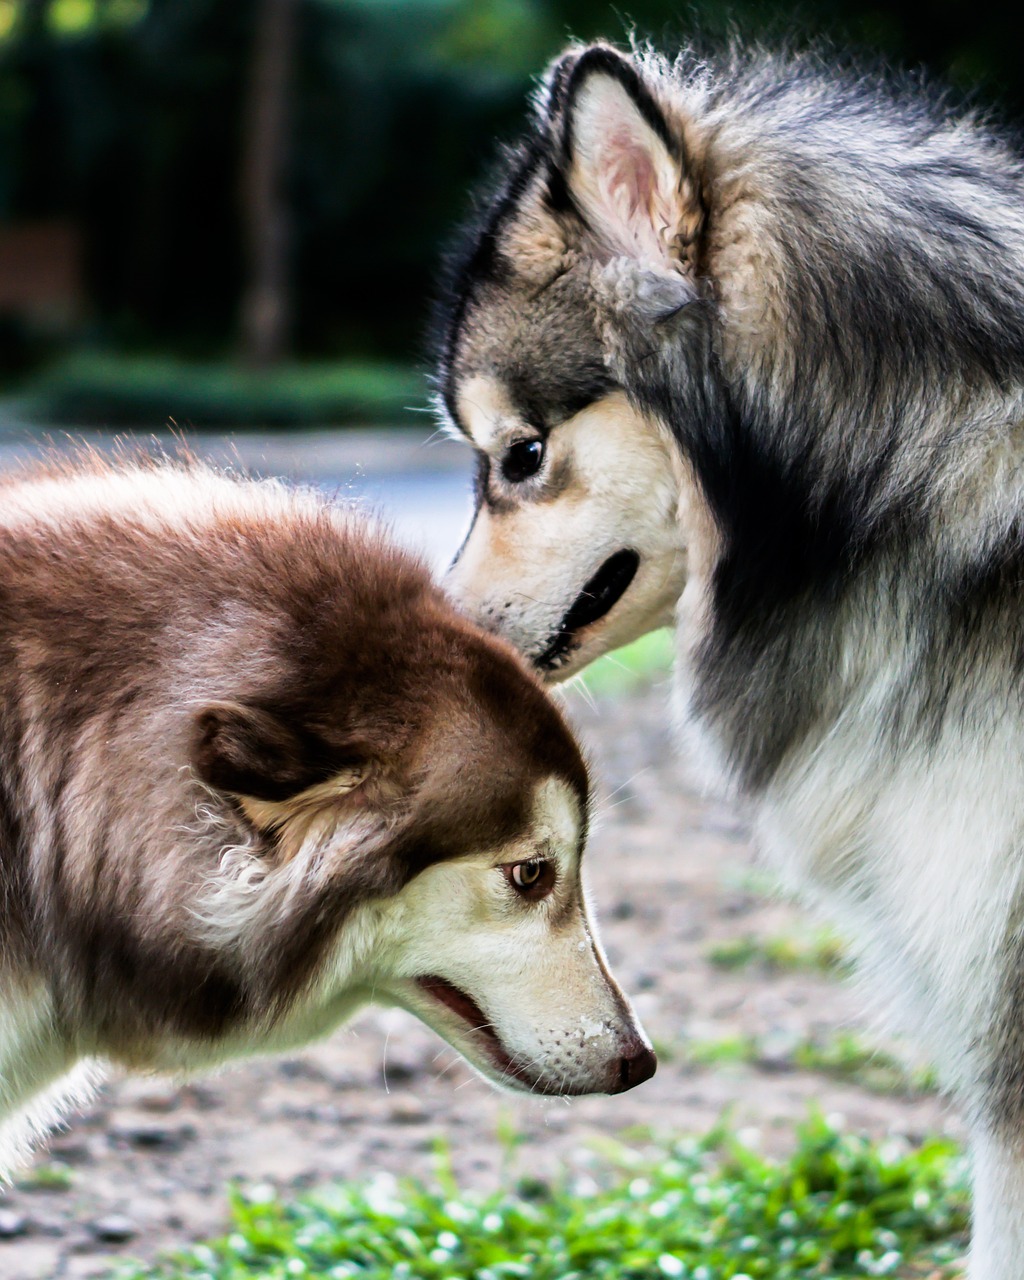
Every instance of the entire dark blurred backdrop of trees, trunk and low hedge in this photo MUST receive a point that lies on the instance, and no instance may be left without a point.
(231, 212)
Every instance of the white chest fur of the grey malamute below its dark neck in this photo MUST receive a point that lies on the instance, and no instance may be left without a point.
(918, 854)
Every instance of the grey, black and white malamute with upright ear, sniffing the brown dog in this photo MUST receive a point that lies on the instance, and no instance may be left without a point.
(744, 344)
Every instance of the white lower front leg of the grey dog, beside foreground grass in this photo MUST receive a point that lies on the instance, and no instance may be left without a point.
(998, 1240)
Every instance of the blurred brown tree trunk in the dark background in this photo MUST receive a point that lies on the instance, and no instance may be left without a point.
(266, 309)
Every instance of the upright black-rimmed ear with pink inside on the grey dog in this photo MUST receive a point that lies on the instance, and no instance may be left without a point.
(623, 168)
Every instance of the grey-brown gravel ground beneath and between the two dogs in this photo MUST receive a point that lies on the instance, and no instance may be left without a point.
(145, 1169)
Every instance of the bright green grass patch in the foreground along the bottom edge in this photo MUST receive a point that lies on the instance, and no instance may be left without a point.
(715, 1210)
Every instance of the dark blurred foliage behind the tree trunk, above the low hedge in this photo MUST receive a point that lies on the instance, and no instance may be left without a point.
(127, 116)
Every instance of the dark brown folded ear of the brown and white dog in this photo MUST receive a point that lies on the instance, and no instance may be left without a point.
(253, 752)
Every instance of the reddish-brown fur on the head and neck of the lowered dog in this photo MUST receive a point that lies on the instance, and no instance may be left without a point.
(186, 674)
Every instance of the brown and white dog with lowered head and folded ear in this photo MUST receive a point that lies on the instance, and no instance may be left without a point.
(257, 772)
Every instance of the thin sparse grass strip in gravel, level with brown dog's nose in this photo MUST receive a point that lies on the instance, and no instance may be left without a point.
(843, 1057)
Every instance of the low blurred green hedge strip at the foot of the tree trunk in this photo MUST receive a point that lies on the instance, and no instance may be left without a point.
(107, 390)
